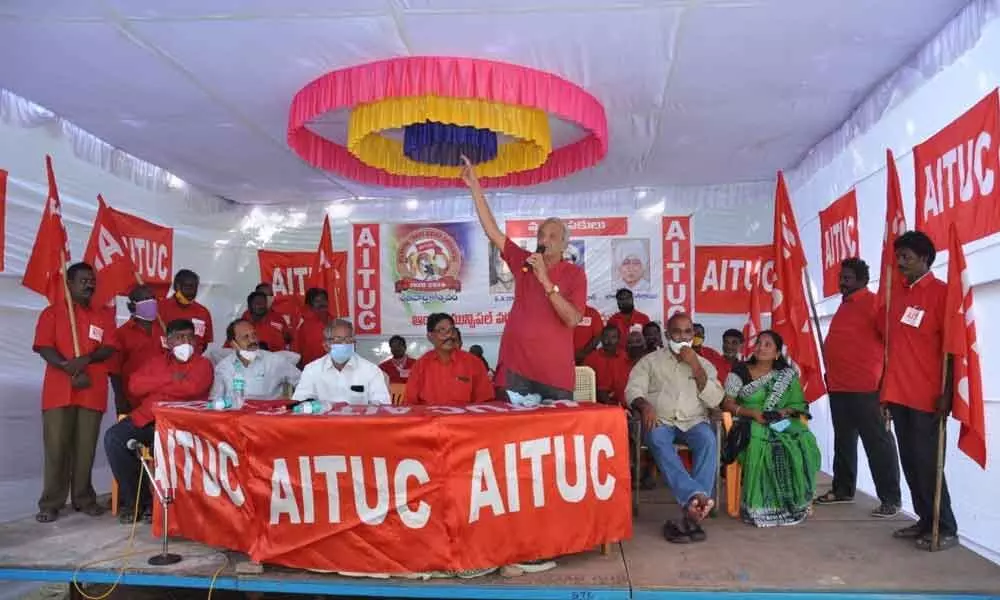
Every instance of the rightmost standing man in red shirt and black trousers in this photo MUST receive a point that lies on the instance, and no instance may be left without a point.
(912, 385)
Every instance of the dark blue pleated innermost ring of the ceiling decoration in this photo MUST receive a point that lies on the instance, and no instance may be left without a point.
(444, 144)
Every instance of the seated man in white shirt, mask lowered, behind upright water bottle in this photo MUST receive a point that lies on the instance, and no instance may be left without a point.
(264, 374)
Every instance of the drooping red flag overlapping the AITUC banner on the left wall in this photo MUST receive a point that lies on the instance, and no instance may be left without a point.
(108, 254)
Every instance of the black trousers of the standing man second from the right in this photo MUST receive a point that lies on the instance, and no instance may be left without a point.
(858, 414)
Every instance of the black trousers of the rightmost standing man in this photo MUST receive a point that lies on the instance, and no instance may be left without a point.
(917, 434)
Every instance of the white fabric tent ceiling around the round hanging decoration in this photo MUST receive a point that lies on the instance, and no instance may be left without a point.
(696, 91)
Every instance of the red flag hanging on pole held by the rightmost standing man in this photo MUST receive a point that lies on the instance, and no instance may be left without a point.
(960, 342)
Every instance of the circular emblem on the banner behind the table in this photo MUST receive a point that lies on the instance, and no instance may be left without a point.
(428, 259)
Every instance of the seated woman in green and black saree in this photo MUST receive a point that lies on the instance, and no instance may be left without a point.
(781, 460)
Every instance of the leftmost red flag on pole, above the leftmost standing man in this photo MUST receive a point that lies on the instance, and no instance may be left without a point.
(50, 252)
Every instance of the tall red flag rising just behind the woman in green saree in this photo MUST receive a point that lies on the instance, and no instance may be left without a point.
(790, 307)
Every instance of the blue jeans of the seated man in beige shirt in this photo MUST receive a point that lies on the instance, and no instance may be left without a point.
(700, 439)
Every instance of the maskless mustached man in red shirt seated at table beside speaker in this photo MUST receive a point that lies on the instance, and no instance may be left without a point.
(447, 375)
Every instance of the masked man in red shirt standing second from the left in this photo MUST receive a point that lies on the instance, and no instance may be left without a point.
(139, 339)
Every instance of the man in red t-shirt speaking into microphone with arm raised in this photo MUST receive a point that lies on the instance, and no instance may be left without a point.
(536, 350)
